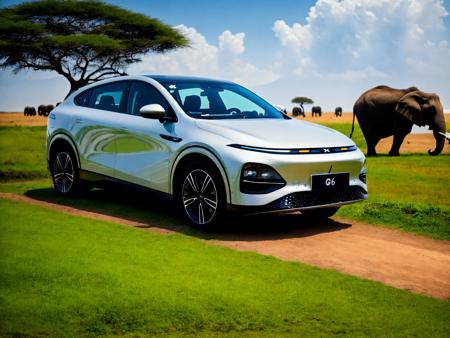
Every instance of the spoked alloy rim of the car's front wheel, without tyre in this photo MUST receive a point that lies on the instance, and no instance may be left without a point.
(200, 197)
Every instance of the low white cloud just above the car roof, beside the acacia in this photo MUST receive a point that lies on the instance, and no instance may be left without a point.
(204, 59)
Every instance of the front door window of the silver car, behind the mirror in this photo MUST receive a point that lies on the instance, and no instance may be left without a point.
(142, 94)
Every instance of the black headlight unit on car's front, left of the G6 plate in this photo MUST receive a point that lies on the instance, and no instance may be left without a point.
(259, 178)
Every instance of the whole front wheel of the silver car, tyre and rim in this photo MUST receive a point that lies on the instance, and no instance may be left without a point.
(201, 195)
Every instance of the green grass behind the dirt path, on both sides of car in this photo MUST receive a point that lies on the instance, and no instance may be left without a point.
(410, 192)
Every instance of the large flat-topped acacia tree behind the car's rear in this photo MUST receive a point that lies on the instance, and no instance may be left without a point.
(84, 41)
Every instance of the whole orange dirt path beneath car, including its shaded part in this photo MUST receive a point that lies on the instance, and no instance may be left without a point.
(402, 260)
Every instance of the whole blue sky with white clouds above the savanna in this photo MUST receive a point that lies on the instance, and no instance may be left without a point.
(328, 50)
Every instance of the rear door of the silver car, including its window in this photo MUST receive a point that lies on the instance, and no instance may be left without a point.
(97, 126)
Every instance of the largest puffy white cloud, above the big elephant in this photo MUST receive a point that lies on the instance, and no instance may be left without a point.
(361, 43)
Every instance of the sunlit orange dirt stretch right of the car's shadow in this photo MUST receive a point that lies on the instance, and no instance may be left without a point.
(395, 258)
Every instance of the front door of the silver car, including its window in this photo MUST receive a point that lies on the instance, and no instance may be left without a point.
(144, 146)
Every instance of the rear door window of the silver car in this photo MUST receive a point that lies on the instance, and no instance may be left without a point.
(108, 97)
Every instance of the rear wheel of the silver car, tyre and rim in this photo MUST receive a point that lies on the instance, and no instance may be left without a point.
(65, 172)
